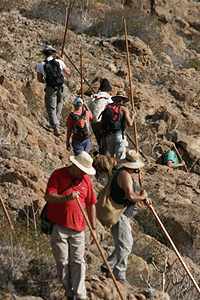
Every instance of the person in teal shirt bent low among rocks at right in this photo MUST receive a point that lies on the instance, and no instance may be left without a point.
(170, 158)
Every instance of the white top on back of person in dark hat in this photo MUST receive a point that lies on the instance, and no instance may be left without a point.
(97, 103)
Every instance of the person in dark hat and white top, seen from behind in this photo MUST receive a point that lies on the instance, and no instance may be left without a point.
(96, 104)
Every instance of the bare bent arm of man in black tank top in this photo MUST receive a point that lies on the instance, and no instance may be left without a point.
(126, 183)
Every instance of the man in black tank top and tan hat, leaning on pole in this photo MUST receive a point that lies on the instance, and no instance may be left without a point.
(123, 191)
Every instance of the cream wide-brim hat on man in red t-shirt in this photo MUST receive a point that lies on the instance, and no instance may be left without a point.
(84, 162)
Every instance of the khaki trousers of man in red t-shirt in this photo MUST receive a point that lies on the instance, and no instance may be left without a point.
(68, 248)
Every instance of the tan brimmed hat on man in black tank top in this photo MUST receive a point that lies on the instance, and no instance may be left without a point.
(132, 160)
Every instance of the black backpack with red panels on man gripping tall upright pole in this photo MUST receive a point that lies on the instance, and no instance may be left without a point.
(110, 118)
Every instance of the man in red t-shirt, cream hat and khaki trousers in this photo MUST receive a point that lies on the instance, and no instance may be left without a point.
(67, 236)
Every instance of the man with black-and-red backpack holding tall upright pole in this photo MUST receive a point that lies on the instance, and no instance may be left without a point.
(114, 118)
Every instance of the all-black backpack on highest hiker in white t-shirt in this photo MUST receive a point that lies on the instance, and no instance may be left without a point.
(53, 72)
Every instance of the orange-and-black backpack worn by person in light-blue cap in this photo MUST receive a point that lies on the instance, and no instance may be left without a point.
(81, 127)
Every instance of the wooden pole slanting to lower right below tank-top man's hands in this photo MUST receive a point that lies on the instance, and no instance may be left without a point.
(174, 248)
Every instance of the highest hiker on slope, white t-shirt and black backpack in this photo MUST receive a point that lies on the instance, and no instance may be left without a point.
(49, 72)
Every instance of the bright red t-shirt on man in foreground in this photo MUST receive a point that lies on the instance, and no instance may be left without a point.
(69, 214)
